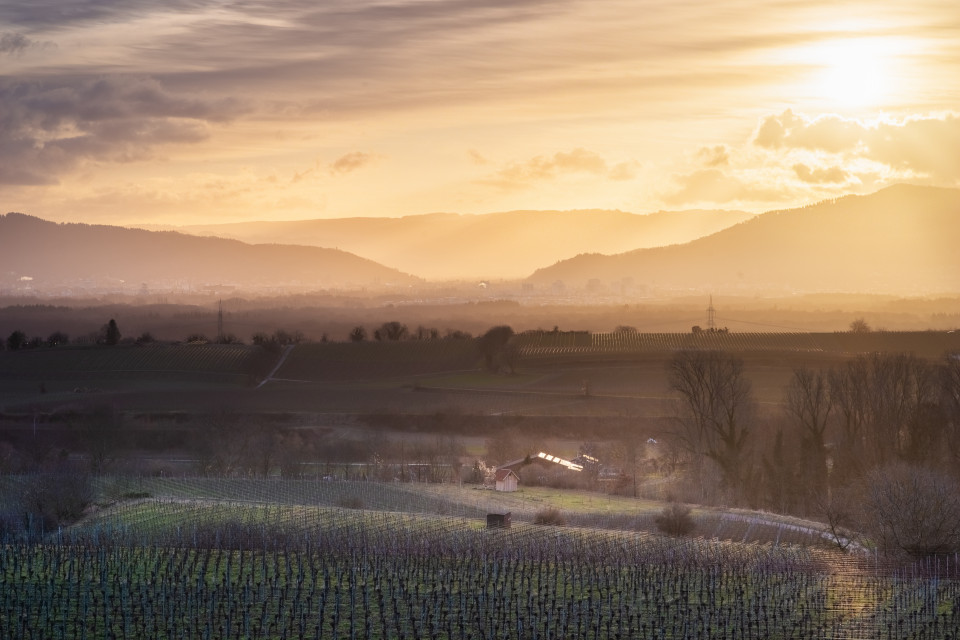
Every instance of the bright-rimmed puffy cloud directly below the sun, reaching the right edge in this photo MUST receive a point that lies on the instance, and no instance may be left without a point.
(926, 145)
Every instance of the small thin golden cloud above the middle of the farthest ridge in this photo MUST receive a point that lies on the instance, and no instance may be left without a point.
(542, 168)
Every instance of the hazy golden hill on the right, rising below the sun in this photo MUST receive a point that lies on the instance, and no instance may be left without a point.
(900, 240)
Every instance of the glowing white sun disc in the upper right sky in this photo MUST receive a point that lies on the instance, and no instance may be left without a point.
(851, 74)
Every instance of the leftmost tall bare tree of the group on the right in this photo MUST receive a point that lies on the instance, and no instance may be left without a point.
(715, 410)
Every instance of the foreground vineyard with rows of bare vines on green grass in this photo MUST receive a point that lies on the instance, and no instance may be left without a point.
(202, 569)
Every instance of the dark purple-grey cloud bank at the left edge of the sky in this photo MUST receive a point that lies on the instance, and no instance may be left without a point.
(47, 128)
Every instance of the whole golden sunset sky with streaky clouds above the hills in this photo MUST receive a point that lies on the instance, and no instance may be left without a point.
(186, 111)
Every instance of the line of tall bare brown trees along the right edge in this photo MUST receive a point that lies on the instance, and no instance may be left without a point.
(874, 441)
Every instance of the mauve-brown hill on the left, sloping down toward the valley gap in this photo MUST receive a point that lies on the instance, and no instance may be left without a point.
(51, 253)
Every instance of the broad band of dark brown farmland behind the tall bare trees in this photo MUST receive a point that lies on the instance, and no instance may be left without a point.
(414, 377)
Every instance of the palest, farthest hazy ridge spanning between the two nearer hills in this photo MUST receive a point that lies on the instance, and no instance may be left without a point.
(512, 244)
